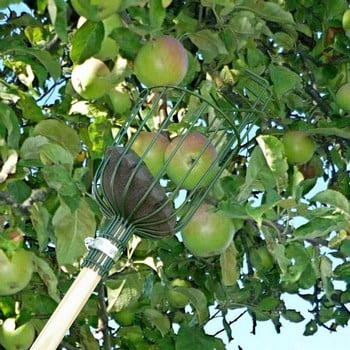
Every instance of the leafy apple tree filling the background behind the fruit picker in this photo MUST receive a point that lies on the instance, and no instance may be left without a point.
(286, 192)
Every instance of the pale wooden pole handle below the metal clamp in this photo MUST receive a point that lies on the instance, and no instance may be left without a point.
(67, 310)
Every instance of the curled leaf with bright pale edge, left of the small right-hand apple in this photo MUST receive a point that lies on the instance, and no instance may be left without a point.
(273, 151)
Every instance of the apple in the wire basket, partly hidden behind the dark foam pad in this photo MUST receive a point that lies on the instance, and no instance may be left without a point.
(153, 157)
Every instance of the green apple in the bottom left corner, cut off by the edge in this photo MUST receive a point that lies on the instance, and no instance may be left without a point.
(16, 338)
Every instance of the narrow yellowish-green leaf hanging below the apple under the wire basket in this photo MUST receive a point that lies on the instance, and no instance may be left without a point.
(228, 264)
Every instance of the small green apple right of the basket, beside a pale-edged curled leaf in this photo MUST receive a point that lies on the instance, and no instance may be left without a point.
(298, 146)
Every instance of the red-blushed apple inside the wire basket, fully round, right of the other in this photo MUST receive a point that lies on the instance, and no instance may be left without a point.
(184, 152)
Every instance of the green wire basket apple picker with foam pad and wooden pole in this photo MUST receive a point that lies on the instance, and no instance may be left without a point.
(133, 201)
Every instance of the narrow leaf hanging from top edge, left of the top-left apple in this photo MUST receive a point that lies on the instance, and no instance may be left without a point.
(58, 14)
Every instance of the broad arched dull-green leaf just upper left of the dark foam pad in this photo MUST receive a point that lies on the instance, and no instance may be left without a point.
(60, 133)
